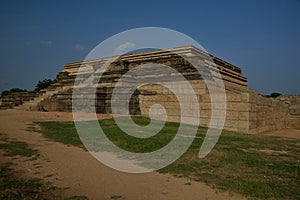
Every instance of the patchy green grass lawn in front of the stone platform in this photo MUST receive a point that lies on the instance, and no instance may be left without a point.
(255, 166)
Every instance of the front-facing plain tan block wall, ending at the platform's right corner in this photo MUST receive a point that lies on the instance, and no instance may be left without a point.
(237, 105)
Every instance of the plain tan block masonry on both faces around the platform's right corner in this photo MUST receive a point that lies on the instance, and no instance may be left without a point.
(246, 111)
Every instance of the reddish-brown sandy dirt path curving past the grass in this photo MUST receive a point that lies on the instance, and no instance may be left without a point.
(73, 168)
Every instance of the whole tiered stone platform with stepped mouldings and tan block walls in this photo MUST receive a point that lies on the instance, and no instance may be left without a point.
(246, 112)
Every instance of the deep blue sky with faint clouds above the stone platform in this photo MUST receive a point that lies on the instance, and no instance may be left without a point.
(262, 37)
